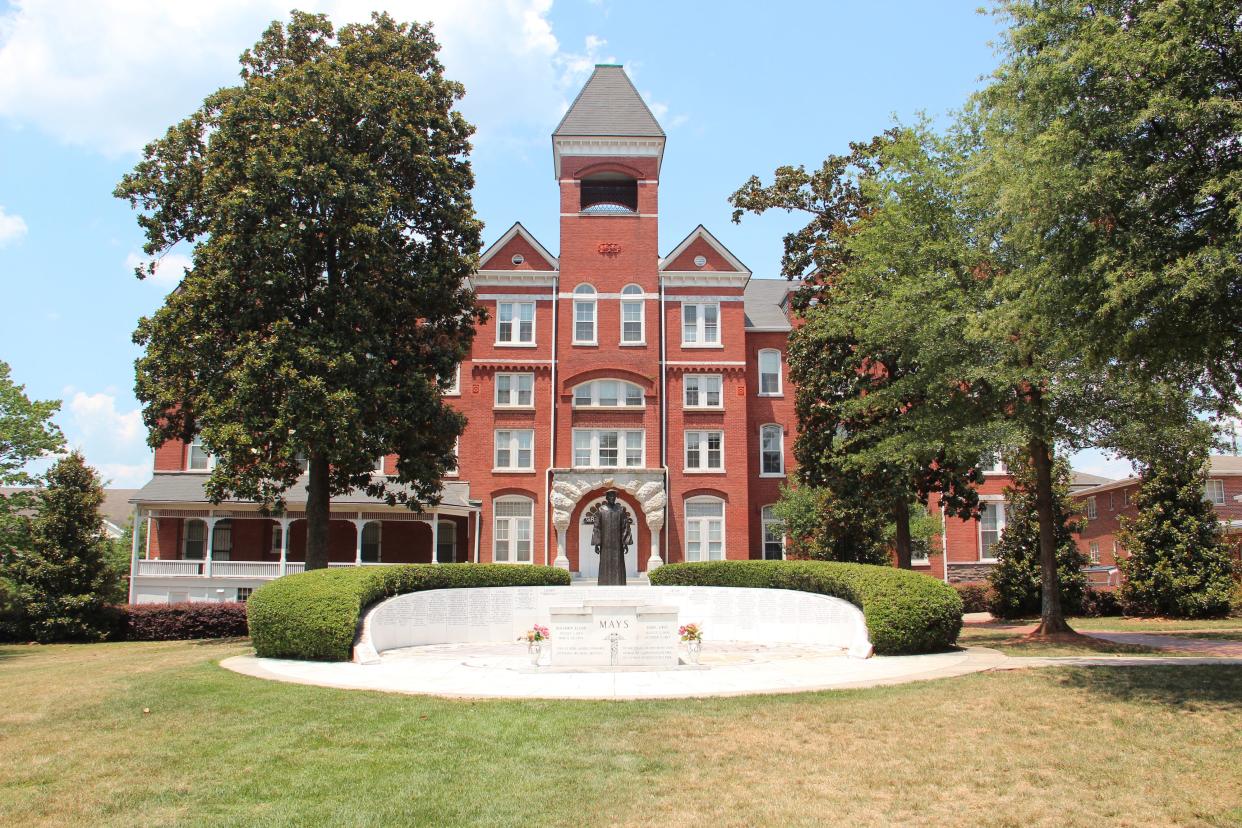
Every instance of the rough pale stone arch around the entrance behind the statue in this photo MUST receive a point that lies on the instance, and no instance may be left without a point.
(643, 490)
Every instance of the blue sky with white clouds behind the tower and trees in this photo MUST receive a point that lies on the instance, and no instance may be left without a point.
(740, 88)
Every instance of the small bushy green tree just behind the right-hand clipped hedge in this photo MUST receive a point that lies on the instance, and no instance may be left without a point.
(827, 527)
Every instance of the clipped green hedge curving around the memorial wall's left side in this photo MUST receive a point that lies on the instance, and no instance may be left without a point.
(315, 615)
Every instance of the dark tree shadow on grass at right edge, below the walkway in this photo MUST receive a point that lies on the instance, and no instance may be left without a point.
(1182, 687)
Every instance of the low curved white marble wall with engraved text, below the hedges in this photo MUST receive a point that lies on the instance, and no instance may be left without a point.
(505, 614)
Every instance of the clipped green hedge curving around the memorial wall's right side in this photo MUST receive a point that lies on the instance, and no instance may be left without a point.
(906, 613)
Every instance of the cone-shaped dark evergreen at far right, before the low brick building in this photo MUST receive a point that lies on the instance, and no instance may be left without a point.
(1176, 563)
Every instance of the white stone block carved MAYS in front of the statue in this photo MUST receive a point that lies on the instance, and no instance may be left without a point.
(614, 634)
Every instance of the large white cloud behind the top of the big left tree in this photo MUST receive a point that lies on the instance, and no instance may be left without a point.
(112, 75)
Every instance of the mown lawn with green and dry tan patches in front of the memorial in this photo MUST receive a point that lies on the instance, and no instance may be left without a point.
(1019, 748)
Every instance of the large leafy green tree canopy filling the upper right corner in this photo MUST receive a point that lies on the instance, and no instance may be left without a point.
(1116, 156)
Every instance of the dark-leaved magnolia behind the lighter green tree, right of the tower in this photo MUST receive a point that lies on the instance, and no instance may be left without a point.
(832, 363)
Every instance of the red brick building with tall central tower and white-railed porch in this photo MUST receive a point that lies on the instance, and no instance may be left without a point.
(609, 366)
